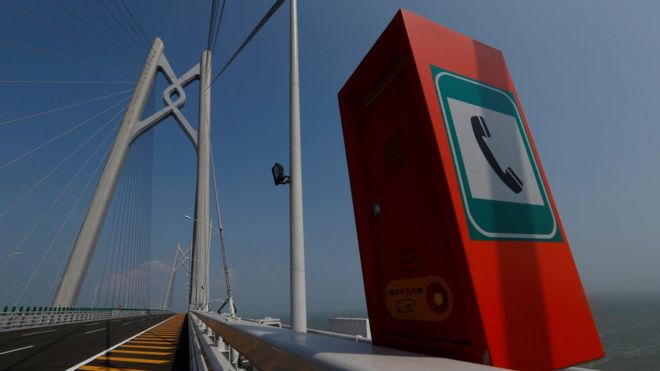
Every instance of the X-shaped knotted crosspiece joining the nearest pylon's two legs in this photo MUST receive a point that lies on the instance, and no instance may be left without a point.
(177, 85)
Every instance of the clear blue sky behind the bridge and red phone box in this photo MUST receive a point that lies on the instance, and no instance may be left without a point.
(585, 71)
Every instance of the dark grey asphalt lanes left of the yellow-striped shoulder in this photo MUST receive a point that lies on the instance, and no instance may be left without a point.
(63, 346)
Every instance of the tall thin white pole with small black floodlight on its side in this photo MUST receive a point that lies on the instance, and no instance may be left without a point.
(298, 296)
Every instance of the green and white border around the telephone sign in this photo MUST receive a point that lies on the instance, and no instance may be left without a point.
(481, 233)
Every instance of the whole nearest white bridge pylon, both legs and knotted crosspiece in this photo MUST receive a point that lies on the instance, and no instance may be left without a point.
(132, 127)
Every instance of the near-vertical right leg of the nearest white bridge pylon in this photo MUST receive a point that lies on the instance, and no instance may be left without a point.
(200, 290)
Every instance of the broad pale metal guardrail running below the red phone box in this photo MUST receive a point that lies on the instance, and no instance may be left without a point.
(275, 348)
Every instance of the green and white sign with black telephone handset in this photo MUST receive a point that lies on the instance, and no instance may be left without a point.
(500, 184)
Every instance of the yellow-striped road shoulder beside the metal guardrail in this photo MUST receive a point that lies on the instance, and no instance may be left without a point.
(164, 347)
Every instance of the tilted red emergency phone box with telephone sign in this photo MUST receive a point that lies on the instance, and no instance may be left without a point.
(462, 250)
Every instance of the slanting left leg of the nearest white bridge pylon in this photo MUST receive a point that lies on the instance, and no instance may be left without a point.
(69, 288)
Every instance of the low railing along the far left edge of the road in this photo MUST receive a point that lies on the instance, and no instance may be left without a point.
(26, 317)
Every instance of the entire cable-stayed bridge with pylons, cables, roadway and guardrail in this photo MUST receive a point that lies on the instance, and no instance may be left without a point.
(93, 309)
